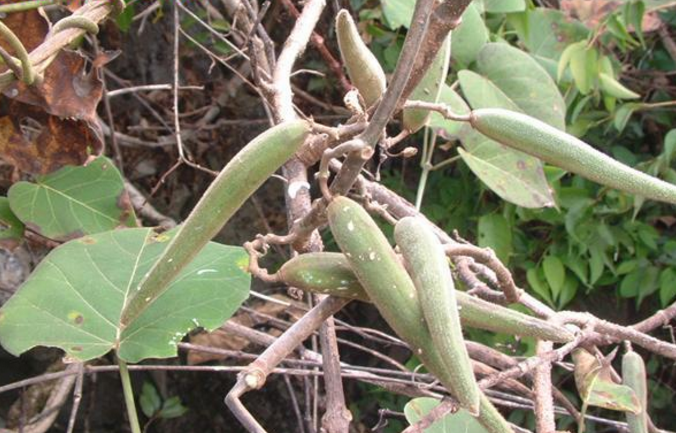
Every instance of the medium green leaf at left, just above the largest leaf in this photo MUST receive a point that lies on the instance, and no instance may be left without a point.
(74, 201)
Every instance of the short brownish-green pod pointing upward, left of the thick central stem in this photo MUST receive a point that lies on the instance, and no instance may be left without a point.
(362, 66)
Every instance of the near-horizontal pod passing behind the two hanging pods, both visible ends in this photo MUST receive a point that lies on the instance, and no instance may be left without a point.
(331, 274)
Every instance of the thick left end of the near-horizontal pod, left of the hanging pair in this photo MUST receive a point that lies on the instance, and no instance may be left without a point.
(324, 273)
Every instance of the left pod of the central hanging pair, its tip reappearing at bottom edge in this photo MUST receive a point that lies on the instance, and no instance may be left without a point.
(390, 288)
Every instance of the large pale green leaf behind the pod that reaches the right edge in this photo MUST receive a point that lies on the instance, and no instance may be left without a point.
(511, 79)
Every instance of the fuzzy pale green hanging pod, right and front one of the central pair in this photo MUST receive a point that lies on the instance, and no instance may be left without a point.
(428, 266)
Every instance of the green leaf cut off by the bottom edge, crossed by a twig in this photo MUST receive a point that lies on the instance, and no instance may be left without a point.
(460, 421)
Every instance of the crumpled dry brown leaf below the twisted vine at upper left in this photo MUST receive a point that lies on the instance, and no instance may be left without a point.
(53, 122)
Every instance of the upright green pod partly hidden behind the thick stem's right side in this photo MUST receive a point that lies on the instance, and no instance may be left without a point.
(429, 88)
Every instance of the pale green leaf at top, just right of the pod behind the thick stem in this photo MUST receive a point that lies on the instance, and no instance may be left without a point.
(469, 37)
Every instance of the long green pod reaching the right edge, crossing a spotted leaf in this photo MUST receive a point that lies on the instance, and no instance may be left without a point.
(537, 138)
